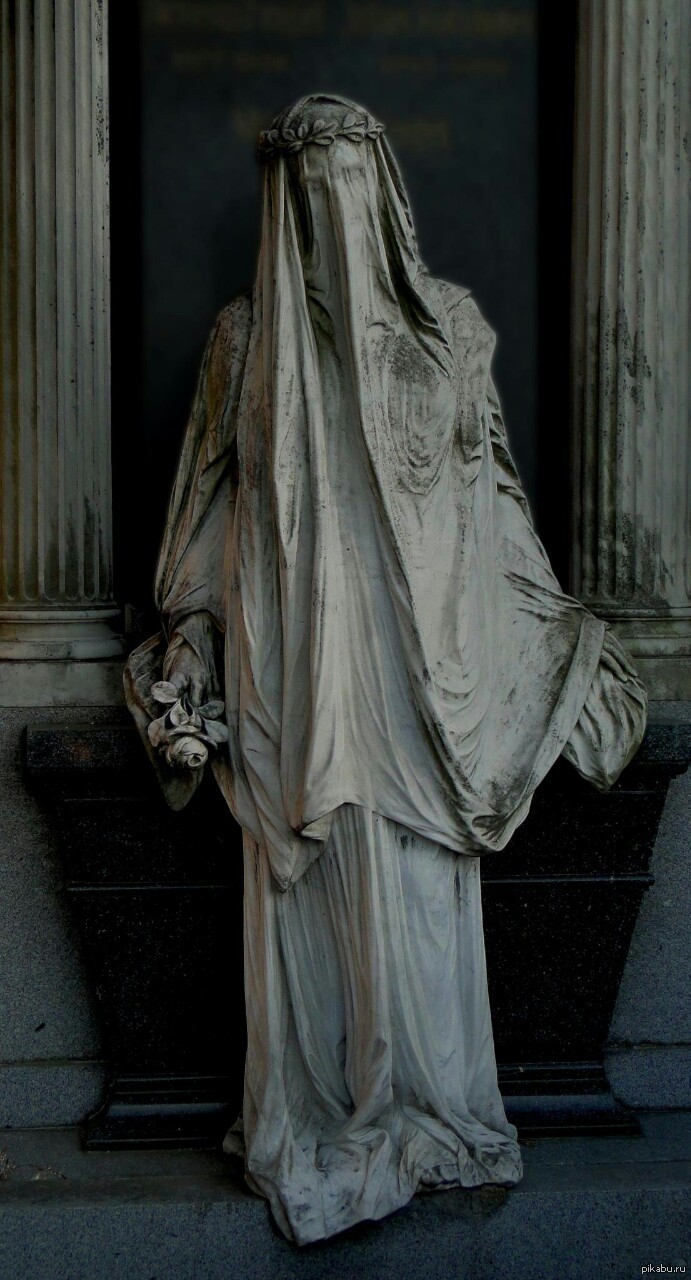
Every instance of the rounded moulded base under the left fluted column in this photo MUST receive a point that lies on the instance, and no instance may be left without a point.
(54, 633)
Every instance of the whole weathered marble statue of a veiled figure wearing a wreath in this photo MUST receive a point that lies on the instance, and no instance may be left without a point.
(350, 564)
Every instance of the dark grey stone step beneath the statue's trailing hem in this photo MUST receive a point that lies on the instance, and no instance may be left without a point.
(585, 1208)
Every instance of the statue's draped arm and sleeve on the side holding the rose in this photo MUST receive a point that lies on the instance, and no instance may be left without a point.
(191, 574)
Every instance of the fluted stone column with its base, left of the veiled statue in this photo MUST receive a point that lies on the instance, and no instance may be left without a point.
(56, 506)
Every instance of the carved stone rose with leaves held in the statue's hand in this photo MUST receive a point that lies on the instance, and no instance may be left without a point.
(185, 734)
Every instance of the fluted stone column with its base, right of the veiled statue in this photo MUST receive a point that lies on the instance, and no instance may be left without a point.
(631, 446)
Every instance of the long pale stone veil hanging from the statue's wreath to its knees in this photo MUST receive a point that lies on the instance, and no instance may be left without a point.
(395, 637)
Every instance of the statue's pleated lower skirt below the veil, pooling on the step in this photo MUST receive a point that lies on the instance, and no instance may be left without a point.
(370, 1064)
